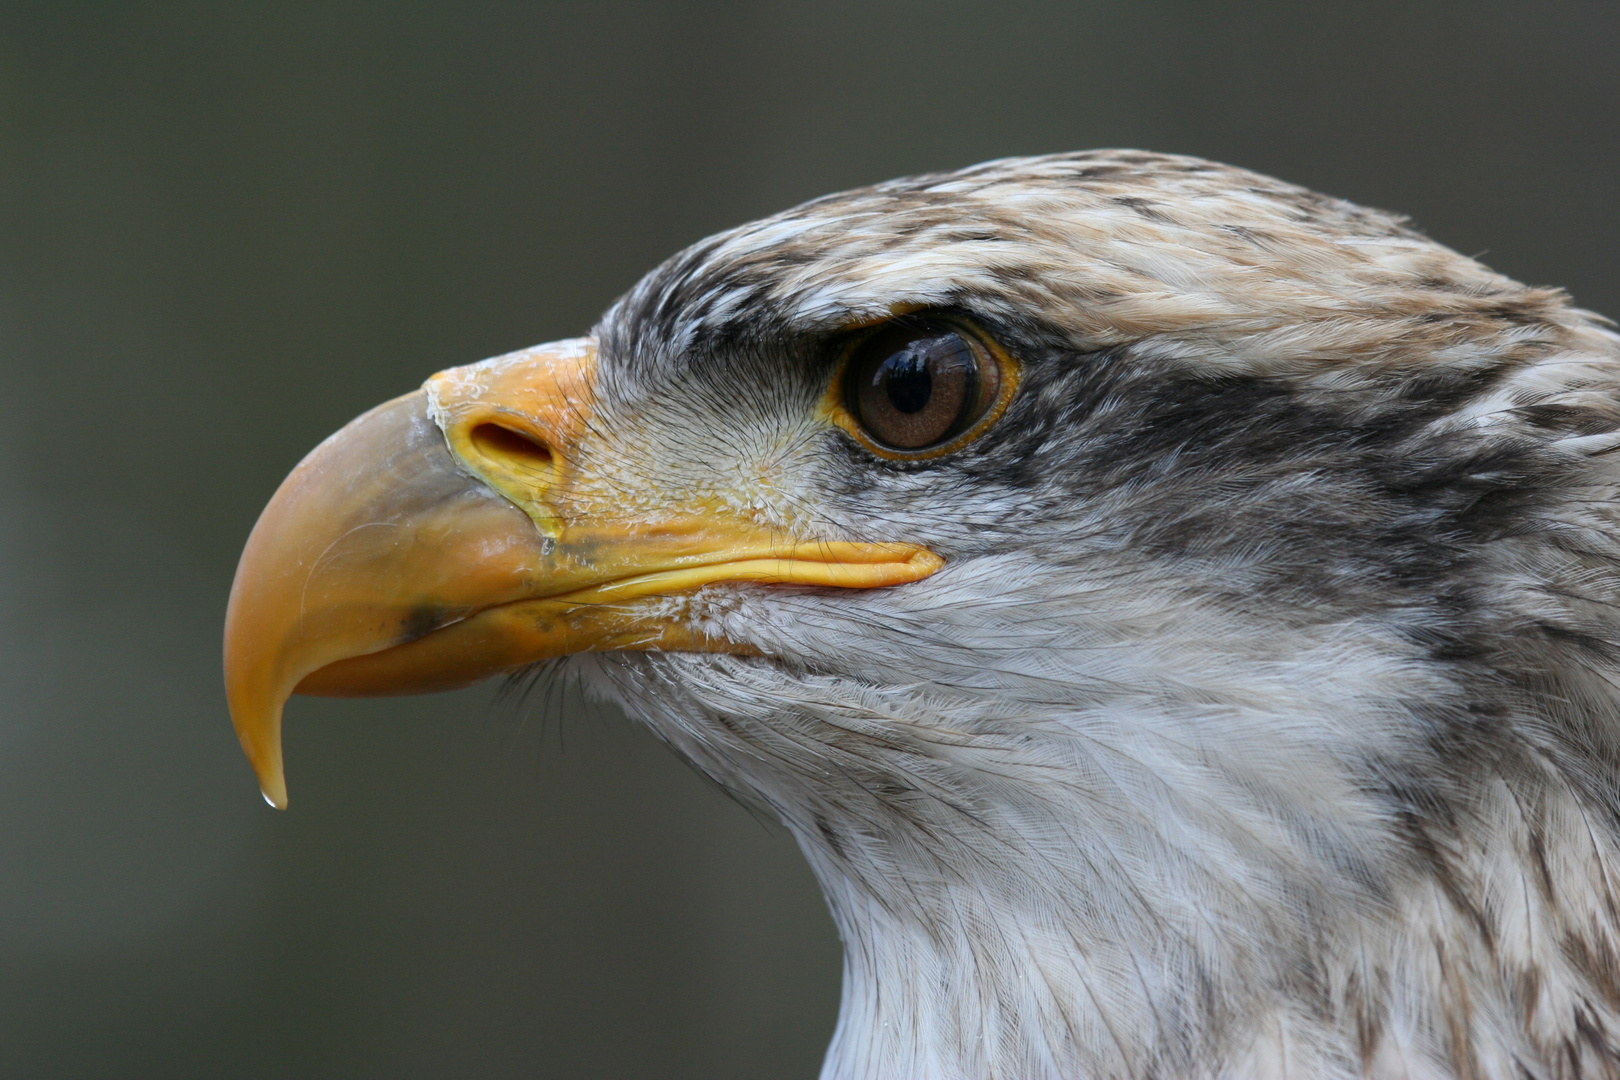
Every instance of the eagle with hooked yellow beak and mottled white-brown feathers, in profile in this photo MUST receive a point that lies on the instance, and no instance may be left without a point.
(1174, 611)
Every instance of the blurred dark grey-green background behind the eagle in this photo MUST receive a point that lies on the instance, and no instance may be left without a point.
(229, 227)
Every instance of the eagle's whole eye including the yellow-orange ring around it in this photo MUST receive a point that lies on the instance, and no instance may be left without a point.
(919, 386)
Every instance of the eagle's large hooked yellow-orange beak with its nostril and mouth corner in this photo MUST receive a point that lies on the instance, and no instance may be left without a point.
(424, 548)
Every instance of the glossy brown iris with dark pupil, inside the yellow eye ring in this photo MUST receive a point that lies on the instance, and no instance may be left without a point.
(913, 386)
